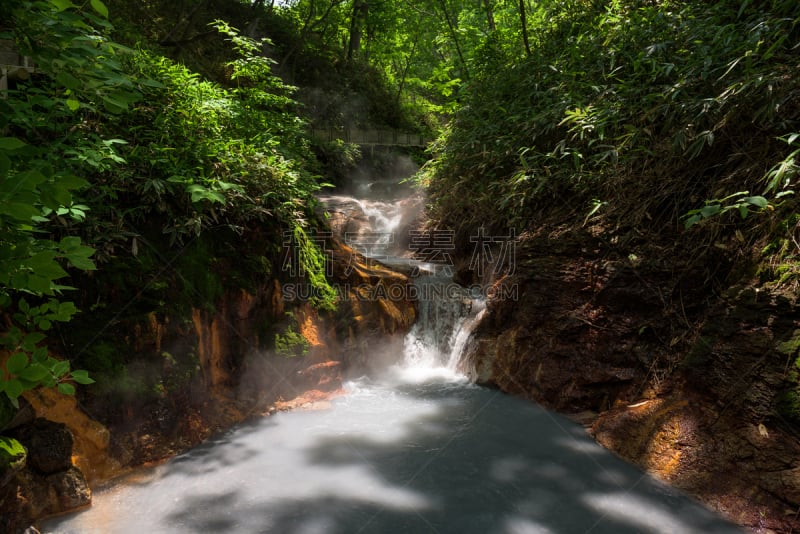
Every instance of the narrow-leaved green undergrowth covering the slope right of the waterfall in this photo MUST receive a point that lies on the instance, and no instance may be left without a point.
(653, 103)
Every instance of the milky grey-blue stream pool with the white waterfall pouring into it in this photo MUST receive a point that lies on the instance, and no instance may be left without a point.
(414, 449)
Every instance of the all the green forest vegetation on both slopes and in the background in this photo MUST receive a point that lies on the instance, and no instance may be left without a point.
(158, 155)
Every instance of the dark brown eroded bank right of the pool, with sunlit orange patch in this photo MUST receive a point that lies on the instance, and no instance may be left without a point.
(687, 380)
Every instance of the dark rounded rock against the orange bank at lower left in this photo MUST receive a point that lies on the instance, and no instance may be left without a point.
(49, 445)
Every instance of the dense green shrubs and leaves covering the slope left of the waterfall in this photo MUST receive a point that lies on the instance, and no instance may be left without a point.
(121, 155)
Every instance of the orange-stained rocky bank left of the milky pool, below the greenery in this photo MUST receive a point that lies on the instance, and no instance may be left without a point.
(191, 377)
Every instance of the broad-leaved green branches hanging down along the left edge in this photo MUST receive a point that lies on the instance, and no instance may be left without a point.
(38, 185)
